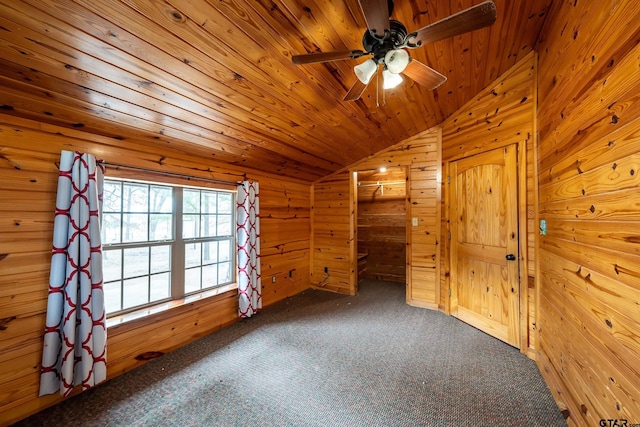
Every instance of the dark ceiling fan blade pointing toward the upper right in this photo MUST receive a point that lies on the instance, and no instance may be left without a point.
(473, 18)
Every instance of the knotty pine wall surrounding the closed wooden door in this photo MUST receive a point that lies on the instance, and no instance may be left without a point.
(500, 115)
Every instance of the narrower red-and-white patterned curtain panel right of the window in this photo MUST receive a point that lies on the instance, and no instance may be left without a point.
(248, 239)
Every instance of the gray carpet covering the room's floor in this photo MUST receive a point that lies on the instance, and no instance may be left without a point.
(322, 359)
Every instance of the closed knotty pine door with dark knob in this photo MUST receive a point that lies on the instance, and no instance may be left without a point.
(484, 243)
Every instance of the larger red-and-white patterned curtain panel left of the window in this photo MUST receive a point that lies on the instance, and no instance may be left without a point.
(75, 335)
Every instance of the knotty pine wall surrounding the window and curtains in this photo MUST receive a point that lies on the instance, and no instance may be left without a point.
(29, 152)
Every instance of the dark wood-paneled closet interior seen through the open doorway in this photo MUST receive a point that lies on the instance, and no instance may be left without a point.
(382, 223)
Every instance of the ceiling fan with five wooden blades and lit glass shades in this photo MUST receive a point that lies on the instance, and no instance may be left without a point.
(387, 40)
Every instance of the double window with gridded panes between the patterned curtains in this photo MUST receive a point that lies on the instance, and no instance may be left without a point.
(162, 242)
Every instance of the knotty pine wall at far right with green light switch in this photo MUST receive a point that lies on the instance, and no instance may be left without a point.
(589, 164)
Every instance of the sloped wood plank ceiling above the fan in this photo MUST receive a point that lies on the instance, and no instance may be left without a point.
(214, 77)
